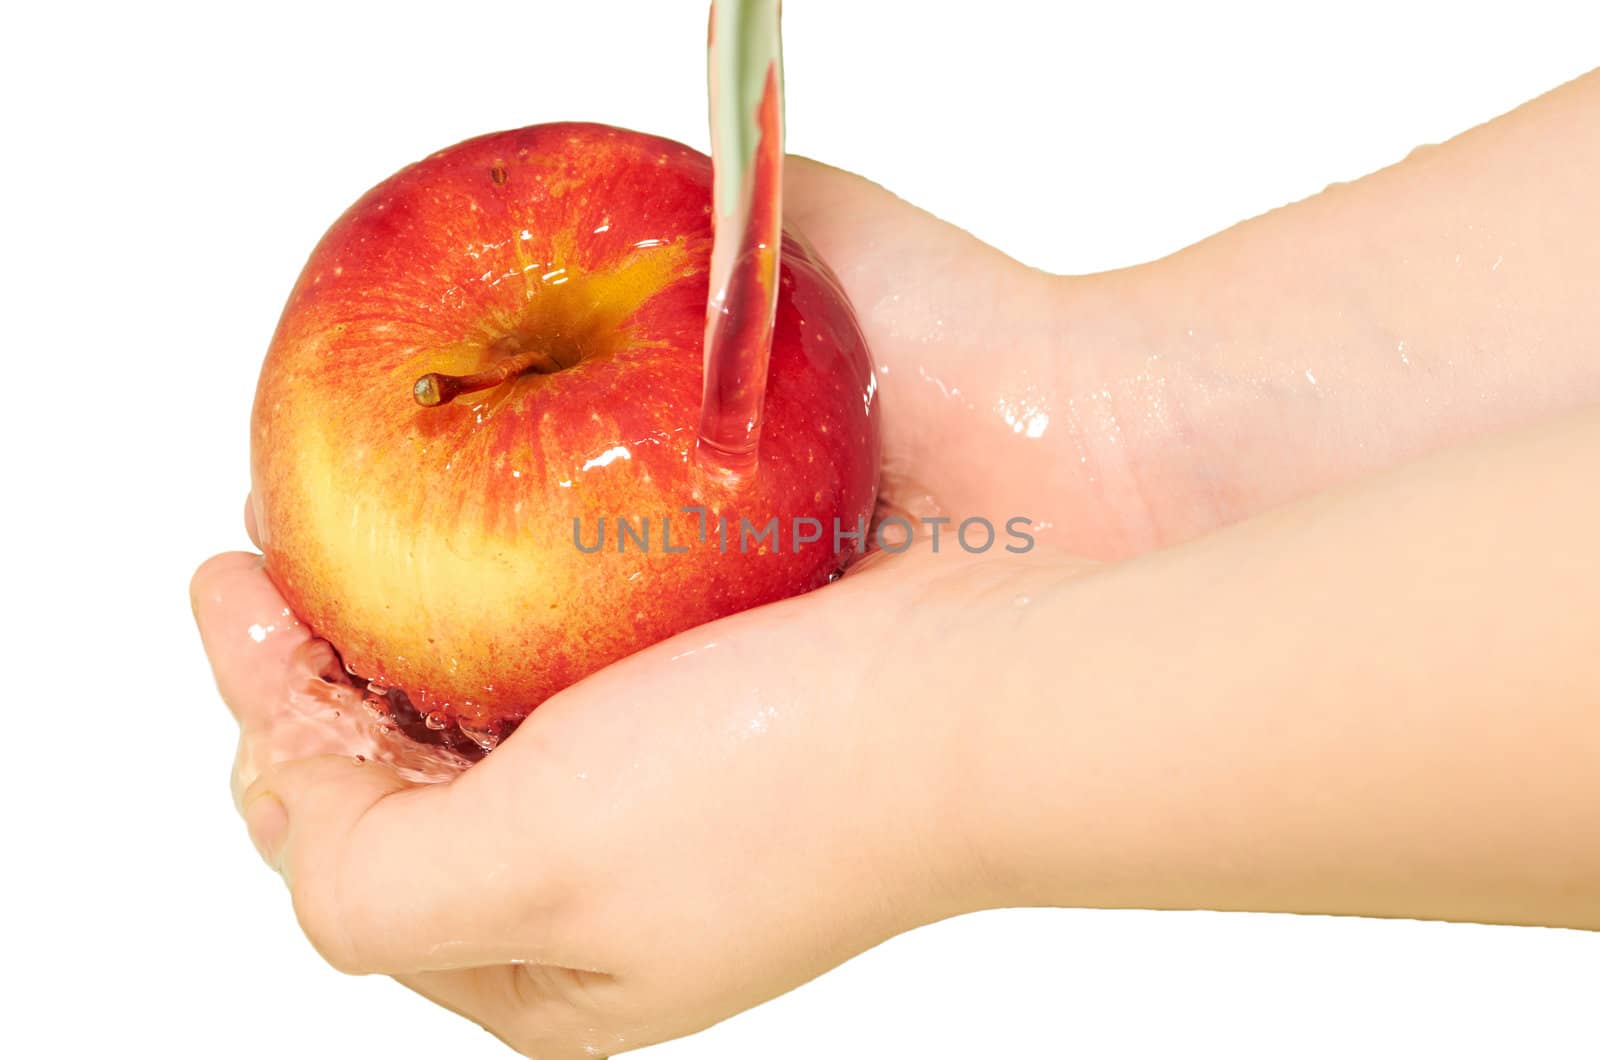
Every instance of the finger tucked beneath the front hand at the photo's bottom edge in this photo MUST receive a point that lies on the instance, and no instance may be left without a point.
(540, 1011)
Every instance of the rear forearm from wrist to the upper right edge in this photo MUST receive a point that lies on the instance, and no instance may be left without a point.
(1438, 300)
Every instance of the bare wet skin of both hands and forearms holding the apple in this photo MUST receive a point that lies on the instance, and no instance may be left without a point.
(644, 857)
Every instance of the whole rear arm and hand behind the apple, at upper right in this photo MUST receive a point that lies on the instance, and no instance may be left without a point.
(1433, 302)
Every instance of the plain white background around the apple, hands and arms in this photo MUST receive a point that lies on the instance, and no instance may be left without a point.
(169, 167)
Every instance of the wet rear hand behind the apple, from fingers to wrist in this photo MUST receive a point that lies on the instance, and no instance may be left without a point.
(1002, 391)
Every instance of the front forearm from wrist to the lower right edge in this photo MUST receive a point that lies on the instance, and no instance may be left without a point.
(1382, 702)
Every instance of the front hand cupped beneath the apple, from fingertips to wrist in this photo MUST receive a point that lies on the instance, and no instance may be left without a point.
(687, 833)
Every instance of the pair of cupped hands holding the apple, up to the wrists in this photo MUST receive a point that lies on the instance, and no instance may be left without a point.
(719, 817)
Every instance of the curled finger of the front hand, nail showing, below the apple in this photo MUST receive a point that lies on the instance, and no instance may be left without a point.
(394, 877)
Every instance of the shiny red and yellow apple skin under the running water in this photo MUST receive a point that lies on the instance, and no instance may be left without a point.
(434, 548)
